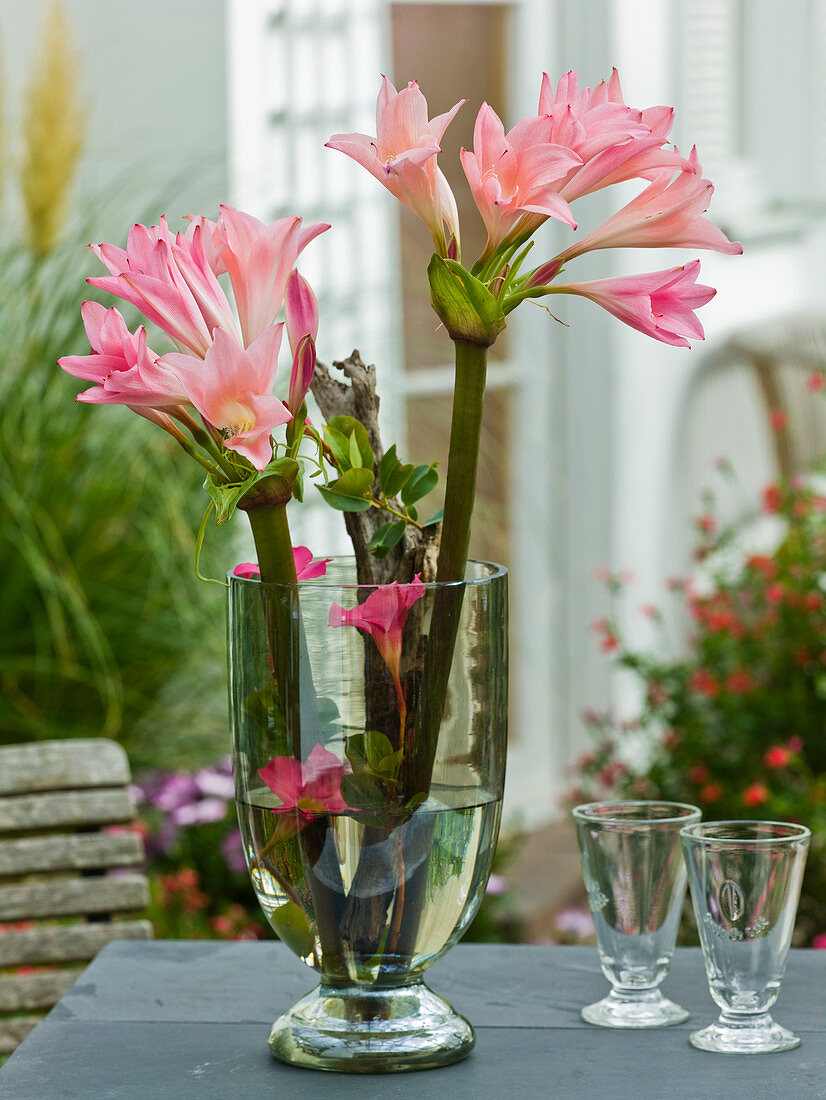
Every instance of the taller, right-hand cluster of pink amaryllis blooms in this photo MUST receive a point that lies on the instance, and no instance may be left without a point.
(579, 142)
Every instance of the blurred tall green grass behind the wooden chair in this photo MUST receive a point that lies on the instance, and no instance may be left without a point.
(104, 629)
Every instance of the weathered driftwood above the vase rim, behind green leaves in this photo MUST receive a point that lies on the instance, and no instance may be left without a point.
(358, 398)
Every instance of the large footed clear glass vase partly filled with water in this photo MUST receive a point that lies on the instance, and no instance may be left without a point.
(369, 749)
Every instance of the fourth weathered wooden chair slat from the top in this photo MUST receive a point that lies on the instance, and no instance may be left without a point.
(25, 901)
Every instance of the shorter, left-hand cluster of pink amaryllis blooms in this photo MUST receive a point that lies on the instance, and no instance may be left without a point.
(225, 368)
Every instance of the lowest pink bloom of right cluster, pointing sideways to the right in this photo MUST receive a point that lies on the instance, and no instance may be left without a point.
(659, 304)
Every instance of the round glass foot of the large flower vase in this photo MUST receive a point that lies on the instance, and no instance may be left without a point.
(365, 1030)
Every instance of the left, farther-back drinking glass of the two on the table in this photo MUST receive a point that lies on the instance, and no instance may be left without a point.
(635, 876)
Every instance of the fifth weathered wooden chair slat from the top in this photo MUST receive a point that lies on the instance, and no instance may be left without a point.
(67, 943)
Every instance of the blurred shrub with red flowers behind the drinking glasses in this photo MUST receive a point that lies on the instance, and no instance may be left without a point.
(736, 725)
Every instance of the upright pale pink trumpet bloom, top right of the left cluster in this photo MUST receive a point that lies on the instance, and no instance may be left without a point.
(259, 260)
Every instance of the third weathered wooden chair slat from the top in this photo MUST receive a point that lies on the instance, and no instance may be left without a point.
(78, 852)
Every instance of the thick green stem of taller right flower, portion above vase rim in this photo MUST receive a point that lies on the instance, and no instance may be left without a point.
(466, 433)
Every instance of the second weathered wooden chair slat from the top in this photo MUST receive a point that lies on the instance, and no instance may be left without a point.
(65, 810)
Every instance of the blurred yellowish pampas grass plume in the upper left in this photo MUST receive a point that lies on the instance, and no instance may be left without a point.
(53, 134)
